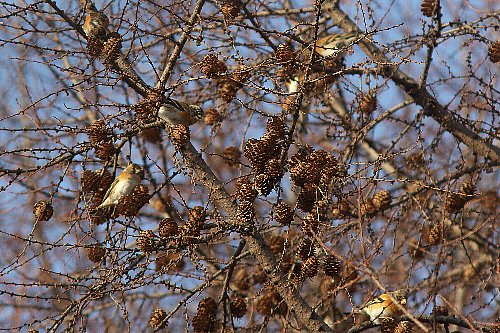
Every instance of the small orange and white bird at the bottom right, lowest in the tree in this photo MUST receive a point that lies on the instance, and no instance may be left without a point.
(382, 306)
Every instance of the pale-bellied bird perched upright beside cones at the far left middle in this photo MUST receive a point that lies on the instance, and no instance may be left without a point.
(123, 185)
